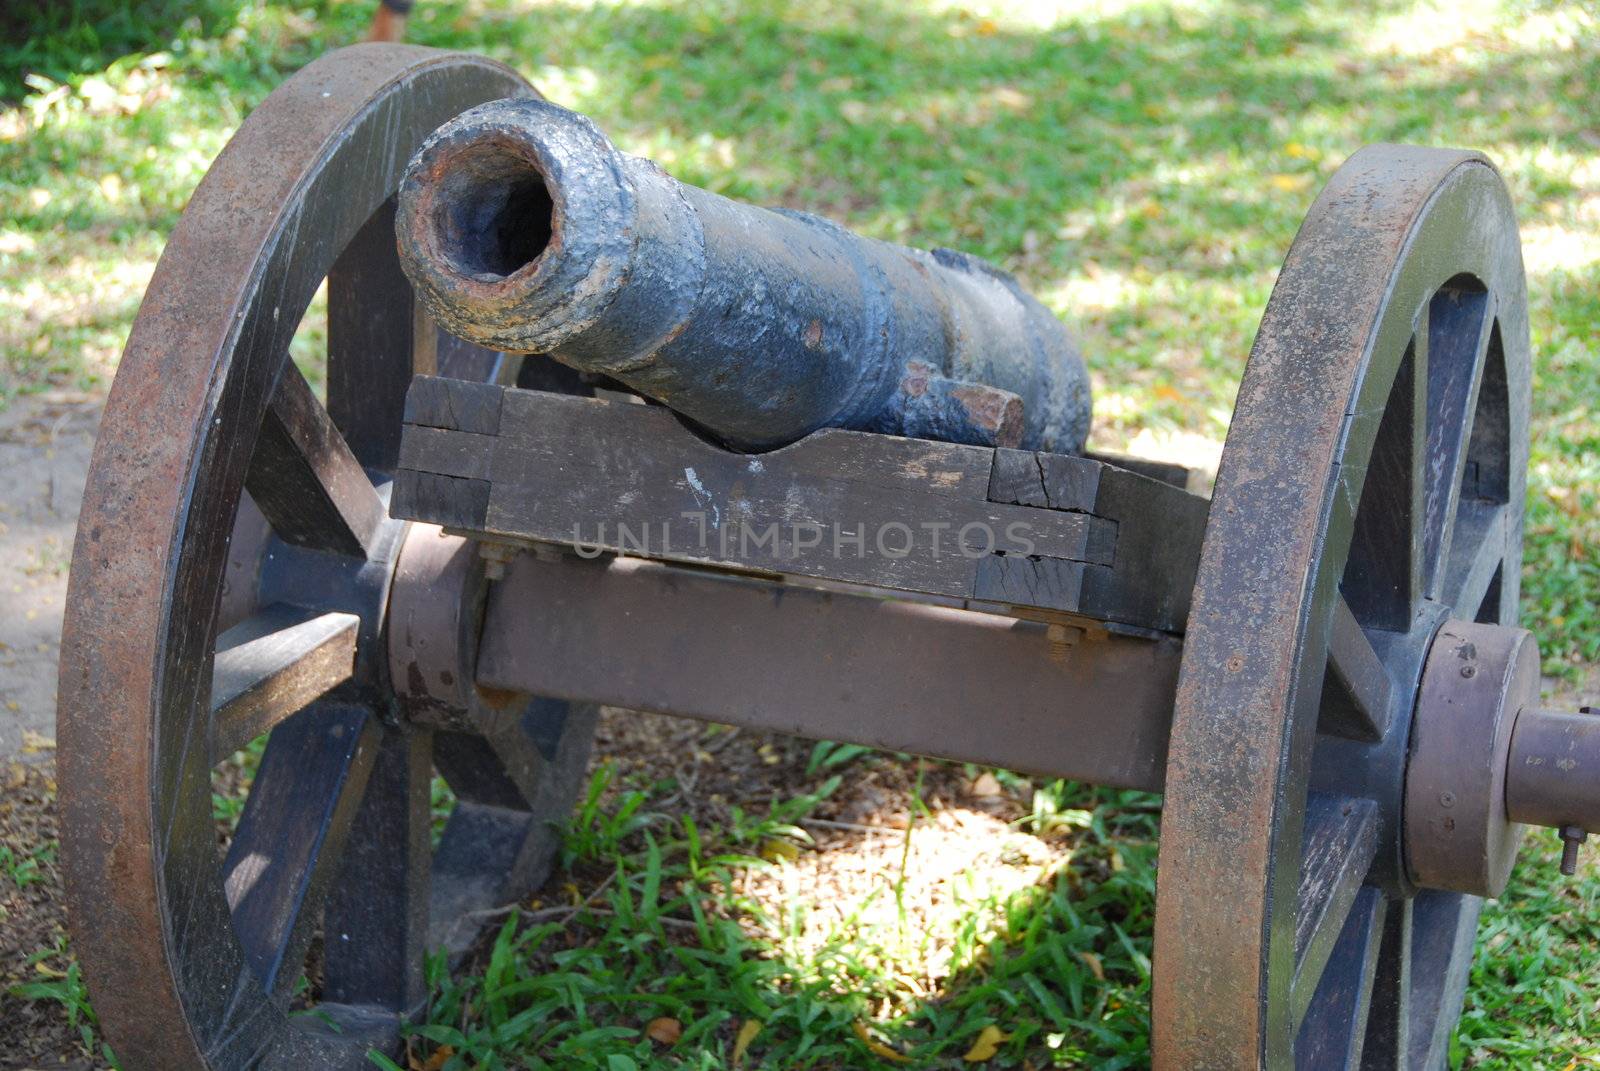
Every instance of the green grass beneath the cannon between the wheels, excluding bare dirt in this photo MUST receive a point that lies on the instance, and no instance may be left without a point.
(674, 934)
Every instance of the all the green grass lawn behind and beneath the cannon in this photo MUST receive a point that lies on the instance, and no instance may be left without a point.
(1143, 169)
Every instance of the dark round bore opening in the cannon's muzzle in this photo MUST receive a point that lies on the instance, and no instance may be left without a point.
(494, 214)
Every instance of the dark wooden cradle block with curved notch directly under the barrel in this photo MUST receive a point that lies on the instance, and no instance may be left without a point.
(1042, 532)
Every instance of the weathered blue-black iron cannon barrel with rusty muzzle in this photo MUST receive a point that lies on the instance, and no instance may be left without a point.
(527, 231)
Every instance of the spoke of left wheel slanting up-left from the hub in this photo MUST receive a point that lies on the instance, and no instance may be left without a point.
(306, 481)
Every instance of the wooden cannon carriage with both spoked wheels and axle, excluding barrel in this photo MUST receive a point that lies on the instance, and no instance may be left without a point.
(455, 556)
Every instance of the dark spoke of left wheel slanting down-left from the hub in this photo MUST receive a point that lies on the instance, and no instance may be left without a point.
(292, 833)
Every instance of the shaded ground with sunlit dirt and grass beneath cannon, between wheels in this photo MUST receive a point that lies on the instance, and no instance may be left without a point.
(710, 928)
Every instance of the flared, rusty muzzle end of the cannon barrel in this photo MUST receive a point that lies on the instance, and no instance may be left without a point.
(498, 209)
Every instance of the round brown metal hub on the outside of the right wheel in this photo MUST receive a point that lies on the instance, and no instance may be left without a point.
(1458, 833)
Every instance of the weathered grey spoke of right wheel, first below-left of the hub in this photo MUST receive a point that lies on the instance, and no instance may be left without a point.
(1342, 840)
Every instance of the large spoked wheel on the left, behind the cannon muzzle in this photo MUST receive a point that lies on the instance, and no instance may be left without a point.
(202, 617)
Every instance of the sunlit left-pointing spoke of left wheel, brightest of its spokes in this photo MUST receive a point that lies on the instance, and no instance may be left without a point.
(273, 665)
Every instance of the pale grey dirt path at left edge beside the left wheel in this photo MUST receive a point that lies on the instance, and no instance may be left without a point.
(44, 455)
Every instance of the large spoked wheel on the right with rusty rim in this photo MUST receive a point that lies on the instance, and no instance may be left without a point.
(1367, 515)
